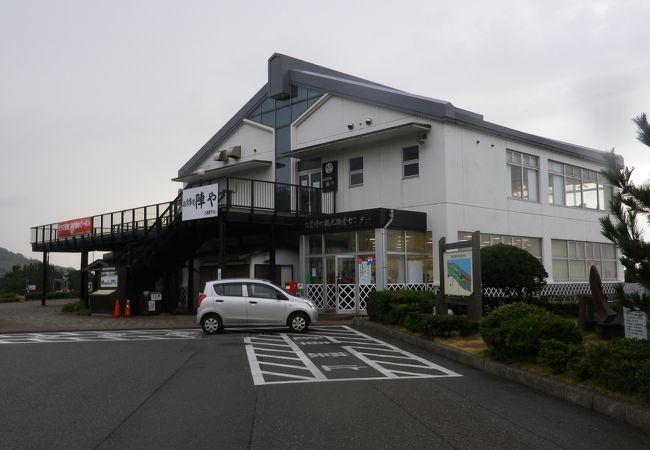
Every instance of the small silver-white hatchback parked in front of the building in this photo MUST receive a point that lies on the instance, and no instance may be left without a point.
(250, 302)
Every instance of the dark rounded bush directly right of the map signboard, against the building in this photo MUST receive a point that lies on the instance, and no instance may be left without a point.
(513, 270)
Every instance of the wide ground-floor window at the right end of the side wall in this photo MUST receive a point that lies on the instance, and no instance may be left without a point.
(572, 260)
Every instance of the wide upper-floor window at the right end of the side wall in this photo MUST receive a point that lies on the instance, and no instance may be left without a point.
(577, 187)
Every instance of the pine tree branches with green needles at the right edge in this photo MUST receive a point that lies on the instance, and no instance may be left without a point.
(629, 205)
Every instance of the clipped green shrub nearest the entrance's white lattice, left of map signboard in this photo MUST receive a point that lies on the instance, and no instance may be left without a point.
(393, 307)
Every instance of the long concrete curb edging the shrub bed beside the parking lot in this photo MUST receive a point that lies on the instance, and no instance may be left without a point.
(625, 412)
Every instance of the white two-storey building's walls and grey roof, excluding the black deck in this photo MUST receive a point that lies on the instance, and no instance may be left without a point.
(395, 153)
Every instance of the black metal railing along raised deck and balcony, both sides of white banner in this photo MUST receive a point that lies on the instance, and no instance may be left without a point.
(235, 194)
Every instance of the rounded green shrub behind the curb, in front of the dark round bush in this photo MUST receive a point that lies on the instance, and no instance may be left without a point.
(513, 332)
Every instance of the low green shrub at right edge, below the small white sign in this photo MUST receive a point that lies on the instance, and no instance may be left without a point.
(622, 365)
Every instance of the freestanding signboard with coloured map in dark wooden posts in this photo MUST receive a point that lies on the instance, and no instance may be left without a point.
(460, 276)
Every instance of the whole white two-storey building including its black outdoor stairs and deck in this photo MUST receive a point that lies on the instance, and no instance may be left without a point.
(347, 186)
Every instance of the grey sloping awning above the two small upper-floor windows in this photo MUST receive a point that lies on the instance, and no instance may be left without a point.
(407, 129)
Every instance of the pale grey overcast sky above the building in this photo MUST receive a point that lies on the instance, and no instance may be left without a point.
(101, 102)
